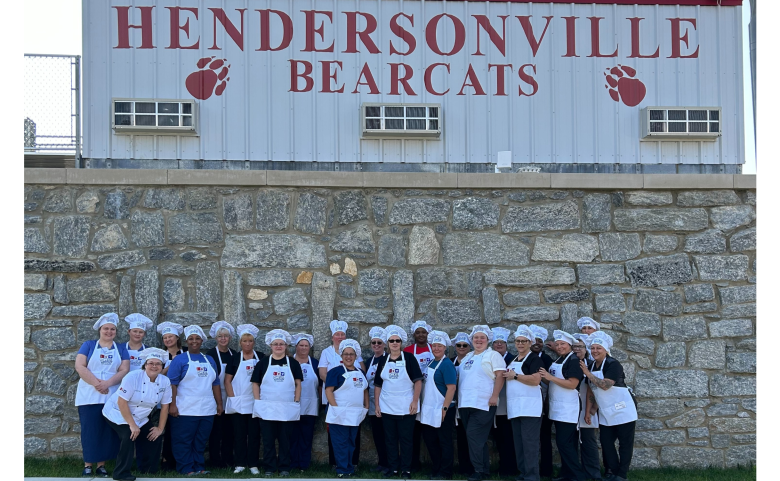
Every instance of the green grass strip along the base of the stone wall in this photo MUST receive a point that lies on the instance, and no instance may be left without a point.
(71, 467)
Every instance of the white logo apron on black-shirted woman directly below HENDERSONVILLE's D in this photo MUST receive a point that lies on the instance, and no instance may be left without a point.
(277, 395)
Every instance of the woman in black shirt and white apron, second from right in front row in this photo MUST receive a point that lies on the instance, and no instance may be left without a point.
(563, 377)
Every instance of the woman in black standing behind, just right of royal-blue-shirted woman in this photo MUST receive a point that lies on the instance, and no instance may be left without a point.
(221, 438)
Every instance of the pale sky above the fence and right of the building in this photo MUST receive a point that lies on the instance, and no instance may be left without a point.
(56, 29)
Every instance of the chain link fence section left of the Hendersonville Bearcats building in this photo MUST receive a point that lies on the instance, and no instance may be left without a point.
(52, 104)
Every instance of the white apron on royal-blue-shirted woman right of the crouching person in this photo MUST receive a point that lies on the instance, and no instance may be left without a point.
(194, 396)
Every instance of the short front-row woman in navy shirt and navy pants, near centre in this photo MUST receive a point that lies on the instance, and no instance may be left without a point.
(346, 390)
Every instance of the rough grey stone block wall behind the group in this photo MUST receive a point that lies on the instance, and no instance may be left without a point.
(670, 274)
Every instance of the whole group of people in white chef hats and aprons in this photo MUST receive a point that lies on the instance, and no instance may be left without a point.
(231, 400)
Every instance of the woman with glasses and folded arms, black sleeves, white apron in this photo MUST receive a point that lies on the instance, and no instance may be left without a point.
(524, 403)
